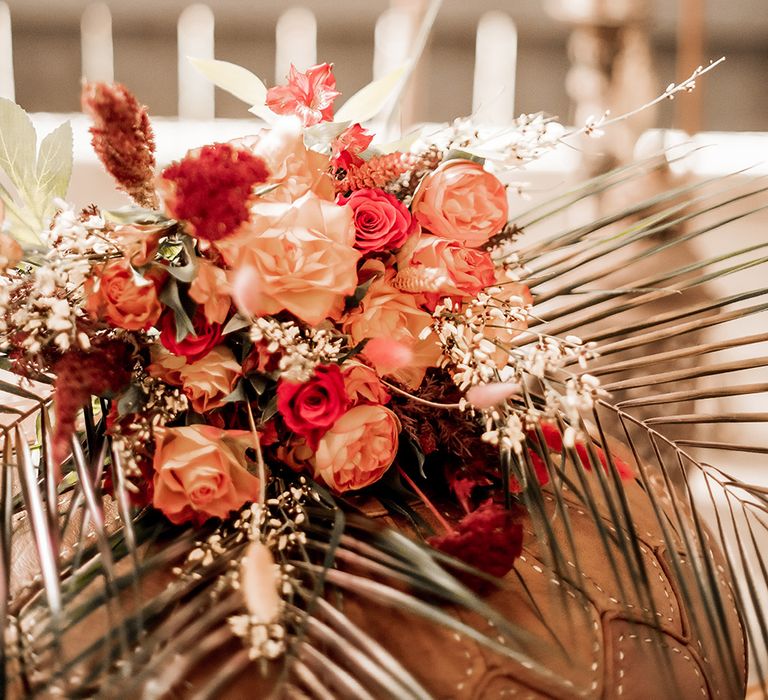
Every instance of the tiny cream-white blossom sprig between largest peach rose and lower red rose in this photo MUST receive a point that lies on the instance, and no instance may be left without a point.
(301, 349)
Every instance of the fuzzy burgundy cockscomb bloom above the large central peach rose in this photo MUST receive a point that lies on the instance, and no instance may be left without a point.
(210, 188)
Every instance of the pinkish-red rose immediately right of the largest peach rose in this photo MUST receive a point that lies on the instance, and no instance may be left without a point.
(382, 222)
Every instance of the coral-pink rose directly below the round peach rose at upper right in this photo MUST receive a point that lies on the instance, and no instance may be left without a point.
(467, 271)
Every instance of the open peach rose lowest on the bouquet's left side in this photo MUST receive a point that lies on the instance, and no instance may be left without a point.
(200, 472)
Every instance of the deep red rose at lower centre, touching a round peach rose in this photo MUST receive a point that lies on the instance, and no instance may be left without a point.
(311, 408)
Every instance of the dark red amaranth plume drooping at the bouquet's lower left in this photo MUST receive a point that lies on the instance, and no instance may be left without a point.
(103, 370)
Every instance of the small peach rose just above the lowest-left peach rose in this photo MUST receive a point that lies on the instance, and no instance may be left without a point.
(211, 379)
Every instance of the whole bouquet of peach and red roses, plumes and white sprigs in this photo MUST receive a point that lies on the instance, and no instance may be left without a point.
(297, 311)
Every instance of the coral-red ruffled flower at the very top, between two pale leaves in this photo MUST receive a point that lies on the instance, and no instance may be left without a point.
(308, 95)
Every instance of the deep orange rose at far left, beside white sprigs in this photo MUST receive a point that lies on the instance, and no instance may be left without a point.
(121, 299)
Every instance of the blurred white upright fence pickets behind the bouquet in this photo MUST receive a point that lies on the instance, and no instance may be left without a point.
(295, 42)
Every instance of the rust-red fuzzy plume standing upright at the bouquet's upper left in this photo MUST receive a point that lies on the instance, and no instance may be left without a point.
(122, 138)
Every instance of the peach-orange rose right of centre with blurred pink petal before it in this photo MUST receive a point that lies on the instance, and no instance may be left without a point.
(386, 312)
